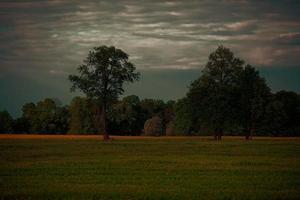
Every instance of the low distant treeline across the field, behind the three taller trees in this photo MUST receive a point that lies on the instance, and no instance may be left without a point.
(132, 116)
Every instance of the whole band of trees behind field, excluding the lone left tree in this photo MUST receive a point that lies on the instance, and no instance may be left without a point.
(229, 98)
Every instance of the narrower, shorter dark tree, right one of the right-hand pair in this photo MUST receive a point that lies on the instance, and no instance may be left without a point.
(254, 95)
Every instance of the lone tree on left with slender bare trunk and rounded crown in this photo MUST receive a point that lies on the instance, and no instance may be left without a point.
(101, 77)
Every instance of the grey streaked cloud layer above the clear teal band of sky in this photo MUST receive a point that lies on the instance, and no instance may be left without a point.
(160, 32)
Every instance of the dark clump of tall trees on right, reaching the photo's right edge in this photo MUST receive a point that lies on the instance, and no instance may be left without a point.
(231, 98)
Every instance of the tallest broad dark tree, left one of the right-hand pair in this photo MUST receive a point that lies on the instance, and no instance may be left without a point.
(211, 95)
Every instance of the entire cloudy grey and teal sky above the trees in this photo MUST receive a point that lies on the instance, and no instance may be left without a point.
(43, 41)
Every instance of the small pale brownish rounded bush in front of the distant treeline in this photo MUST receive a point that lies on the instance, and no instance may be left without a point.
(153, 126)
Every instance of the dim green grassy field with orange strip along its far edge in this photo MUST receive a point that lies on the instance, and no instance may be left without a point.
(146, 168)
